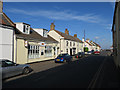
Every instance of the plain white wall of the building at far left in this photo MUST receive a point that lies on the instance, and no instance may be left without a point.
(6, 43)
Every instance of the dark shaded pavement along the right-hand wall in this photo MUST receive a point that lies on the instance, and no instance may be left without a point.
(108, 76)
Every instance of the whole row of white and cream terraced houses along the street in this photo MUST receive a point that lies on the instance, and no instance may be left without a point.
(22, 44)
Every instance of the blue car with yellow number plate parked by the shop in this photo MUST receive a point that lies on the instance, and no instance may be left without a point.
(63, 58)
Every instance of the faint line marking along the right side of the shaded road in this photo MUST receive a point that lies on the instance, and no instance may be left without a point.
(96, 76)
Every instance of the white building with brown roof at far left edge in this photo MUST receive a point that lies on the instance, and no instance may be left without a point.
(7, 31)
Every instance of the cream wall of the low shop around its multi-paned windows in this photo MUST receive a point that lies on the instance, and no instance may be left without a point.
(22, 52)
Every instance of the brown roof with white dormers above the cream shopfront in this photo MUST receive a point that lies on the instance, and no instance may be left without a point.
(36, 37)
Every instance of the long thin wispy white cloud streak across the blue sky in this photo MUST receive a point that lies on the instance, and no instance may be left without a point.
(61, 15)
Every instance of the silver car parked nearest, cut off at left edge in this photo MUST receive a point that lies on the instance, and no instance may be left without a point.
(9, 68)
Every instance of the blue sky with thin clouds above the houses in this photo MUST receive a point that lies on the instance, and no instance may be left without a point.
(94, 17)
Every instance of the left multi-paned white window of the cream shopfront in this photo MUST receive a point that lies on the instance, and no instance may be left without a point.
(33, 51)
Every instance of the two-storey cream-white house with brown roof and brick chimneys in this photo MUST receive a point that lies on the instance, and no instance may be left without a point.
(67, 43)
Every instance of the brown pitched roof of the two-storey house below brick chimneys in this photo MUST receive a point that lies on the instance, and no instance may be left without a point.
(68, 37)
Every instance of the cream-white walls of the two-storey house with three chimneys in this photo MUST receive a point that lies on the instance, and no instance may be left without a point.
(66, 46)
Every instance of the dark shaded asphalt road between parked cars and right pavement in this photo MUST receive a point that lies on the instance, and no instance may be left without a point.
(77, 74)
